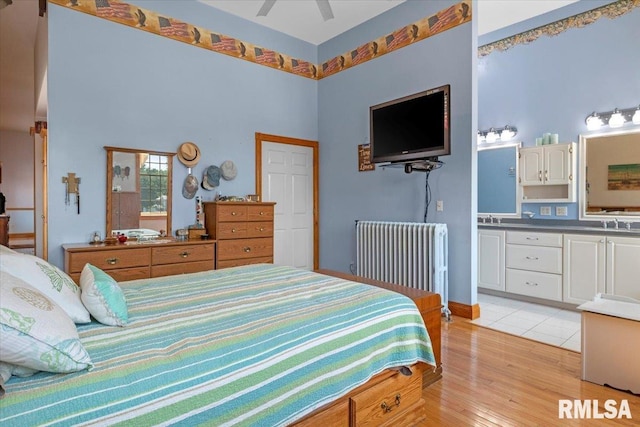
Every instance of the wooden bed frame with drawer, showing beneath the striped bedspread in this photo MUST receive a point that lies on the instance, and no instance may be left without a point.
(391, 398)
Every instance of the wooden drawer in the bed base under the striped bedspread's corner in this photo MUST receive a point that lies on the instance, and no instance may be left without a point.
(379, 404)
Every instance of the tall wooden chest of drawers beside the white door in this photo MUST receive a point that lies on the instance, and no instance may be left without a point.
(243, 231)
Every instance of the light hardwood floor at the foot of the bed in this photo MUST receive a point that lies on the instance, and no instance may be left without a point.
(494, 379)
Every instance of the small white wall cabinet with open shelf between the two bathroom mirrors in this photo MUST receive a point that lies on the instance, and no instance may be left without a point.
(547, 173)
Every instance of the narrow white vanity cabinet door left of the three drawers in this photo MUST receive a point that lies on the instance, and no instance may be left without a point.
(491, 259)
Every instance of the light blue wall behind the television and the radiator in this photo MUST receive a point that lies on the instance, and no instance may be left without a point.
(347, 195)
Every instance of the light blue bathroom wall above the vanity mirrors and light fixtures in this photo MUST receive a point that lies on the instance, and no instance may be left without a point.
(553, 83)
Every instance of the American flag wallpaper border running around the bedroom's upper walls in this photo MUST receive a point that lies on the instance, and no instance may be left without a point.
(153, 22)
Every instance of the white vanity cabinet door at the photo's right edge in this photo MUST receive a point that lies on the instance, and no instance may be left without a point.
(623, 266)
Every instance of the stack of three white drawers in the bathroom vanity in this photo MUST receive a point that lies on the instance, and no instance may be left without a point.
(534, 264)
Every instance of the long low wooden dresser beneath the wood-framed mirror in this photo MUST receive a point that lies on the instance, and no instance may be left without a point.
(140, 261)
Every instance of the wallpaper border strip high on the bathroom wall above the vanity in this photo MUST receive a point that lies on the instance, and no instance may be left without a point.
(611, 11)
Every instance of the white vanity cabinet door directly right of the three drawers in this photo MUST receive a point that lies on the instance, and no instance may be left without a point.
(583, 267)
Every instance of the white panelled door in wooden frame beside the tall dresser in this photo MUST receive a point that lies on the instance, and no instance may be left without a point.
(287, 179)
